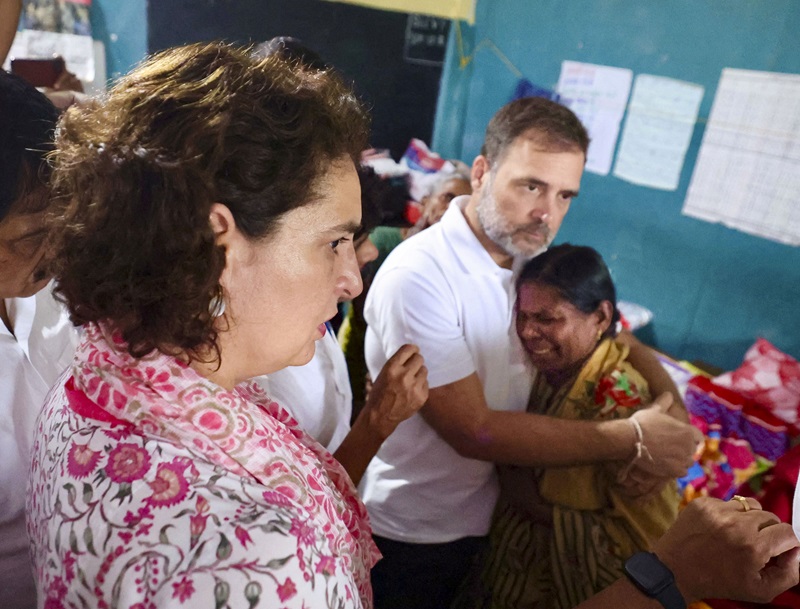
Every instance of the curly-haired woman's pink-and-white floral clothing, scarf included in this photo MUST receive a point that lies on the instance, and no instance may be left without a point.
(153, 487)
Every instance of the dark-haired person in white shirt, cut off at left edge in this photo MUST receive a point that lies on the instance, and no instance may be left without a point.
(37, 339)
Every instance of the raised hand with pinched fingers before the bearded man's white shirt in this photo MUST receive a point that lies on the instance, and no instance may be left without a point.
(400, 390)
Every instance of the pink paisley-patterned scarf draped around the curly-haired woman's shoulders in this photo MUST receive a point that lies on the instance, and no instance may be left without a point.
(239, 430)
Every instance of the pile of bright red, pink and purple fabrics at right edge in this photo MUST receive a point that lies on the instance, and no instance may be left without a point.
(751, 421)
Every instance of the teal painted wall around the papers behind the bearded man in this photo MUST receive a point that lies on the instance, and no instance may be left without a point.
(713, 290)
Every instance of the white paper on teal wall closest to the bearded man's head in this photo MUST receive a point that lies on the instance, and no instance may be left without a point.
(598, 95)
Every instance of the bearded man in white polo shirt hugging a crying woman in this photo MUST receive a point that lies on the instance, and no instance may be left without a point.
(431, 489)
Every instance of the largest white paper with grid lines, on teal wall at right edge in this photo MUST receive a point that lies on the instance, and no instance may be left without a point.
(747, 174)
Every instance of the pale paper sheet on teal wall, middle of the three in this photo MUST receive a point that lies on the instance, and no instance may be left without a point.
(657, 131)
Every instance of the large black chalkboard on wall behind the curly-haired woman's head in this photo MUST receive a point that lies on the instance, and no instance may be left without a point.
(366, 45)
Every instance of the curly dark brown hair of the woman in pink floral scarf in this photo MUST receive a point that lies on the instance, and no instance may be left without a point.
(137, 173)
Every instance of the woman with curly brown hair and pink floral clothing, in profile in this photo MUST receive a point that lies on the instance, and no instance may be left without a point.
(204, 237)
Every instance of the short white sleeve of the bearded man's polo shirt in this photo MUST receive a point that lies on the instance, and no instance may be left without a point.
(408, 306)
